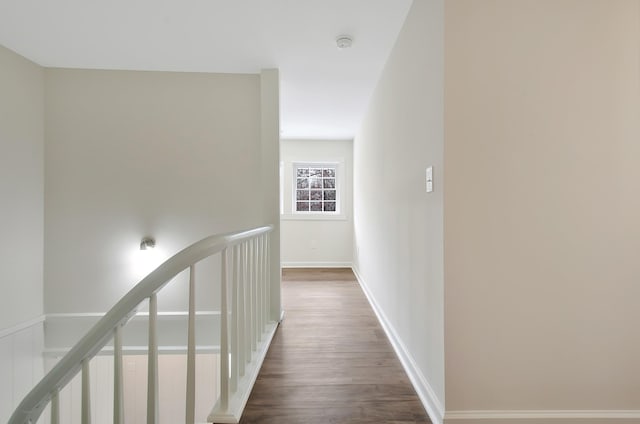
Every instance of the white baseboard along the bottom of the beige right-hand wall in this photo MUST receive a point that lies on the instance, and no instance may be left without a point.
(541, 416)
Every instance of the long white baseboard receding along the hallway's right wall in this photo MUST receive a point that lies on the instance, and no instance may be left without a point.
(425, 392)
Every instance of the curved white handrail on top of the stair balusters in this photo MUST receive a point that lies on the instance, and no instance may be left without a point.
(35, 402)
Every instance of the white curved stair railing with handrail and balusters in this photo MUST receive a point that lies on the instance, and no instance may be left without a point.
(245, 335)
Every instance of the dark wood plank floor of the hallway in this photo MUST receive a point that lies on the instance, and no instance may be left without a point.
(330, 361)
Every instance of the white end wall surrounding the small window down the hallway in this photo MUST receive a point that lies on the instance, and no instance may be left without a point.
(317, 241)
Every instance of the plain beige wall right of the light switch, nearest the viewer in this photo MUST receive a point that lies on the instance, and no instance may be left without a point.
(542, 232)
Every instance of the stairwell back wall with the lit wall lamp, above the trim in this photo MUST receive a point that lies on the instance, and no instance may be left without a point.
(129, 154)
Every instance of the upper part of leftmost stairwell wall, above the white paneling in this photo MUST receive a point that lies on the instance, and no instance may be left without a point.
(21, 188)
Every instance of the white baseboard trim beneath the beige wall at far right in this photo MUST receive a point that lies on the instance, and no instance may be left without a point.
(537, 415)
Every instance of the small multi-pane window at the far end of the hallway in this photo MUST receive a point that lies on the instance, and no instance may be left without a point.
(316, 188)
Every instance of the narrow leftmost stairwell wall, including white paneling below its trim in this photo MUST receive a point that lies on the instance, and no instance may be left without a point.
(21, 227)
